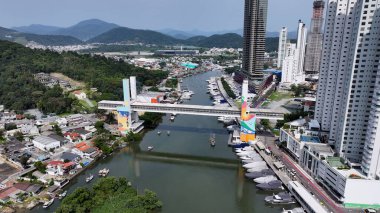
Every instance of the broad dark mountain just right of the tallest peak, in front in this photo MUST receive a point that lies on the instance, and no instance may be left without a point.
(128, 35)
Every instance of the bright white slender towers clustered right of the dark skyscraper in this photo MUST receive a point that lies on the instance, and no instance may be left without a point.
(293, 63)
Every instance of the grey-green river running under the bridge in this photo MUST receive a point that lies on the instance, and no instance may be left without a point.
(185, 172)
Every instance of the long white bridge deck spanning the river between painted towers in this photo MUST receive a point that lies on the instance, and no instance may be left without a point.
(191, 109)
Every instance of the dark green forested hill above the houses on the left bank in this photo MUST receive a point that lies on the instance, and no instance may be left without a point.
(19, 91)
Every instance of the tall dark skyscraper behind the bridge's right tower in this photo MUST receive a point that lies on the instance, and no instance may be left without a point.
(255, 18)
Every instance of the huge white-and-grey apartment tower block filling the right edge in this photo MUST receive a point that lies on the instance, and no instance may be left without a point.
(348, 100)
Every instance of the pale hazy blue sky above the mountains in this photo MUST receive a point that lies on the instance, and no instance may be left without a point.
(205, 15)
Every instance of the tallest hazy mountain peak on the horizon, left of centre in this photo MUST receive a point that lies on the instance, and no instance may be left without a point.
(87, 29)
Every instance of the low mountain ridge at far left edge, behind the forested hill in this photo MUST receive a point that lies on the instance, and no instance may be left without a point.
(49, 40)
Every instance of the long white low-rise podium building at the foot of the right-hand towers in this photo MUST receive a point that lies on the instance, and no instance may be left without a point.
(340, 177)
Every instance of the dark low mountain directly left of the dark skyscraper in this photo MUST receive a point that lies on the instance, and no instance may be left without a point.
(228, 40)
